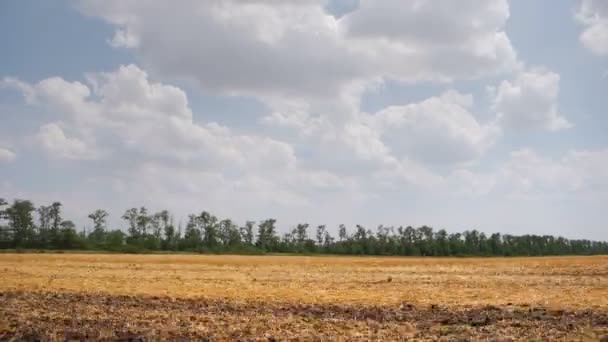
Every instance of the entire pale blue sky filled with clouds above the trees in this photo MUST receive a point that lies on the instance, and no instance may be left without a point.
(459, 115)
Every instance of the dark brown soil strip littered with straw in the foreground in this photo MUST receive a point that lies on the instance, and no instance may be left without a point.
(60, 316)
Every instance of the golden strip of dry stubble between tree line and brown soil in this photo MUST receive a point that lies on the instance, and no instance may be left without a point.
(560, 282)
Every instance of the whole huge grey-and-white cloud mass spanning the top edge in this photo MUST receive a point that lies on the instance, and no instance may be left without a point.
(277, 49)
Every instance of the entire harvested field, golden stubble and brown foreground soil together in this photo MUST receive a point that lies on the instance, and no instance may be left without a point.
(159, 297)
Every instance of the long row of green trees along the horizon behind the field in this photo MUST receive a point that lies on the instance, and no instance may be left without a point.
(24, 226)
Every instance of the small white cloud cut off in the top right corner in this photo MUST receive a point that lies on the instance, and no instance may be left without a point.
(593, 14)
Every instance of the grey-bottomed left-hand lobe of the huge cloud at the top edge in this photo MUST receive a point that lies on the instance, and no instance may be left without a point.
(253, 47)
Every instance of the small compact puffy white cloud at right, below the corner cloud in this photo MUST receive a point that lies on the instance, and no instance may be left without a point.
(529, 101)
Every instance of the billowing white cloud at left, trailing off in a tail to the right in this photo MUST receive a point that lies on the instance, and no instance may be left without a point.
(146, 119)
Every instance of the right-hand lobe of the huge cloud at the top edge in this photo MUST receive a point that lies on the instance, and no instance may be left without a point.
(432, 39)
